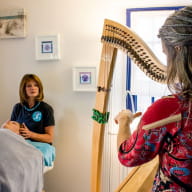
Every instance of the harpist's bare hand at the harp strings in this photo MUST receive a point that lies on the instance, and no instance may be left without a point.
(126, 116)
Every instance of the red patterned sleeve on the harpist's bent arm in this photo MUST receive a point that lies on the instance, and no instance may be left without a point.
(144, 145)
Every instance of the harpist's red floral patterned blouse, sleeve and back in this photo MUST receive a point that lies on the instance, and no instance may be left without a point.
(172, 142)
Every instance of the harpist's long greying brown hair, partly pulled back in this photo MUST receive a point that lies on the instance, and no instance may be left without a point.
(176, 36)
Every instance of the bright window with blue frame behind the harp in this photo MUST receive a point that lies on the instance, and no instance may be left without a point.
(142, 91)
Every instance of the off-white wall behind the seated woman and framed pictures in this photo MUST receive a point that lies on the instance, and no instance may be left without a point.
(80, 24)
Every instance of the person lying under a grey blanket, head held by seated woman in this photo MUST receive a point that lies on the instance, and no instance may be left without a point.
(21, 164)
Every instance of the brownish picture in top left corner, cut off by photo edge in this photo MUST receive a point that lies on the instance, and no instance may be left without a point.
(12, 23)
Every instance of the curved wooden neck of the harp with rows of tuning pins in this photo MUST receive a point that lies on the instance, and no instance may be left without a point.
(123, 38)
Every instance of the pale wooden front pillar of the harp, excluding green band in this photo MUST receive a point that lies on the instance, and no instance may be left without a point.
(107, 62)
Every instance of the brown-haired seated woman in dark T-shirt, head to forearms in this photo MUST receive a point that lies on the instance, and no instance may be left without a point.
(35, 115)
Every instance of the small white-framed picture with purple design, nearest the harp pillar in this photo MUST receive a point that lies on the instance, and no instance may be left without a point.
(84, 78)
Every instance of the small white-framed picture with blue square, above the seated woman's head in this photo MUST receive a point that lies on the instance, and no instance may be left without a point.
(47, 47)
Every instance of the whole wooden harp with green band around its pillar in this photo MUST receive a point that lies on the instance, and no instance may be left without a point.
(118, 37)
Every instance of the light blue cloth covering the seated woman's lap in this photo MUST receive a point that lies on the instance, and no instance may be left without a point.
(47, 150)
